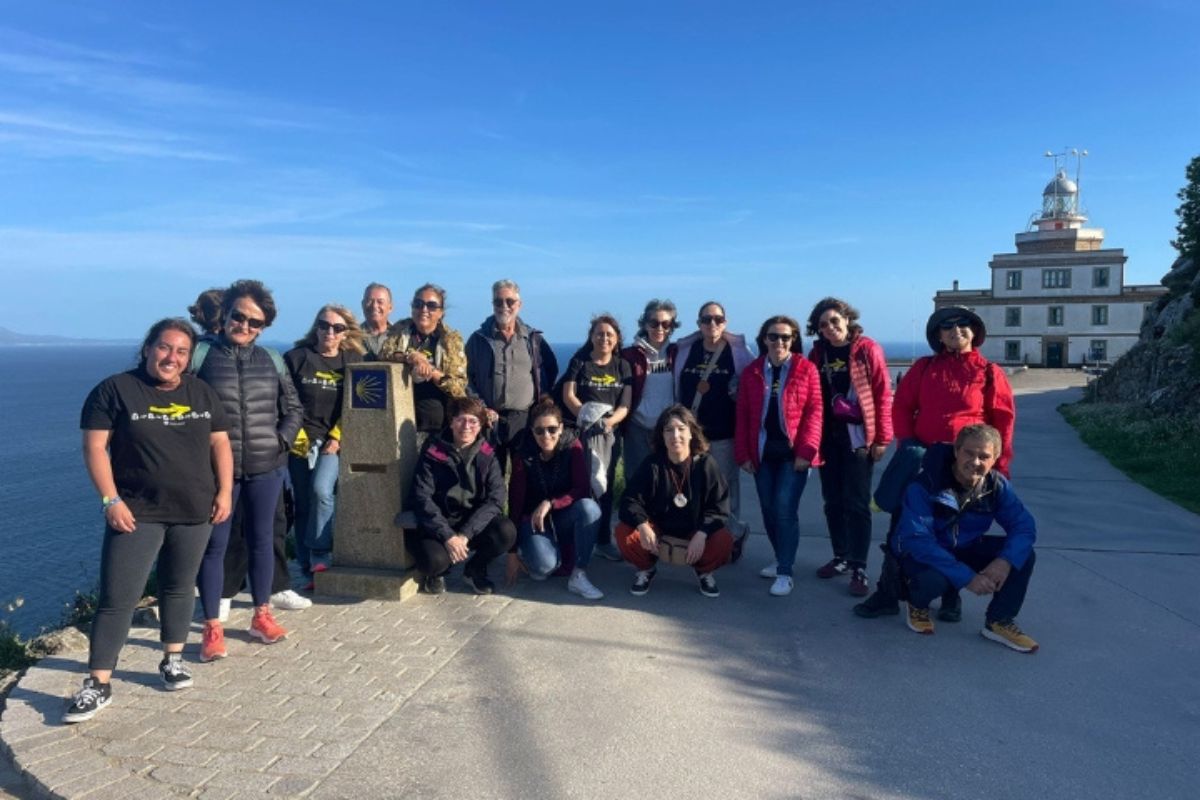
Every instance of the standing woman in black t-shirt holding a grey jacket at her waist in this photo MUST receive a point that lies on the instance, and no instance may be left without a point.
(598, 375)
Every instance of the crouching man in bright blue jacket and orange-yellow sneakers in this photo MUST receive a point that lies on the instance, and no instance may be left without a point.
(941, 543)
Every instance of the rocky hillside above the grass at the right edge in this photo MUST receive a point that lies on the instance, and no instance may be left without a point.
(1163, 370)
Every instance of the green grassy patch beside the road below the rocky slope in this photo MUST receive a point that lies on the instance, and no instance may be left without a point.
(1160, 453)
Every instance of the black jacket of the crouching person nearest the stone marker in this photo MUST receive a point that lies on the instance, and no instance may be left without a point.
(457, 491)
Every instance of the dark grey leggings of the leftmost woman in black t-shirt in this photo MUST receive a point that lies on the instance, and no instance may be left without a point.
(125, 566)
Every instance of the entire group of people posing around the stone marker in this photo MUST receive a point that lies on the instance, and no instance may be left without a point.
(191, 452)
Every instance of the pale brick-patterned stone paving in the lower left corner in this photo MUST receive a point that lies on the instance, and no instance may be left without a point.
(247, 726)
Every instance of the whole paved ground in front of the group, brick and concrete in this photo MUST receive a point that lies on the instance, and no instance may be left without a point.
(539, 695)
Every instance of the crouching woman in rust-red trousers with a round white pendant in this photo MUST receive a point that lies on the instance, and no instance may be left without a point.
(677, 494)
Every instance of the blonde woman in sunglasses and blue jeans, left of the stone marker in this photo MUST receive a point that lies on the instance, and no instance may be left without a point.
(319, 370)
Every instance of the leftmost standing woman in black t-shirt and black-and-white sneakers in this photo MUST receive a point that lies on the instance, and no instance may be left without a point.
(158, 452)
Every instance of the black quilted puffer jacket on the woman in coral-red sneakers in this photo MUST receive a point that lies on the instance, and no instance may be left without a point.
(262, 405)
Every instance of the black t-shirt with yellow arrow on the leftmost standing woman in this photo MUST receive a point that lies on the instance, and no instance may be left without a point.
(160, 448)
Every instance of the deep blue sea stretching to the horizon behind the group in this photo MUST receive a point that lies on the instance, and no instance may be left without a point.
(51, 542)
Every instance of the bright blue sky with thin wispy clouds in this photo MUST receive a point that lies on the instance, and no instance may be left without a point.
(763, 154)
